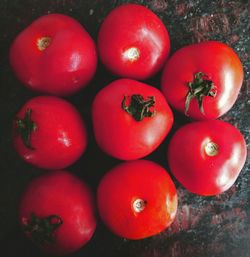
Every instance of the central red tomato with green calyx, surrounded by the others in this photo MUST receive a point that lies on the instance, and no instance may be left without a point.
(130, 119)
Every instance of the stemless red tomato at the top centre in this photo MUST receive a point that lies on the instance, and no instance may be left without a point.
(133, 42)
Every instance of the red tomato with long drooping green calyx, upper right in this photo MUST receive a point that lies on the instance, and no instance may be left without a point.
(203, 80)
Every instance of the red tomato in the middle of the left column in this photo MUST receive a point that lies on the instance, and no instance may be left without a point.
(49, 133)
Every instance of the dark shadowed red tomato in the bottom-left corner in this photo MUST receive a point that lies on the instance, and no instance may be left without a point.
(57, 212)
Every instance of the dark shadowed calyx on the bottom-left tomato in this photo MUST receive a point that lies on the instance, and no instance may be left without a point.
(42, 230)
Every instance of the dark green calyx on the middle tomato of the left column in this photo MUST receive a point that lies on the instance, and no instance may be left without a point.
(25, 127)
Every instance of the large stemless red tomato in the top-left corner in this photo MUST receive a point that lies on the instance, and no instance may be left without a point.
(54, 55)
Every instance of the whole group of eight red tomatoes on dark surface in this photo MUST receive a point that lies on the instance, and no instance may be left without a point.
(137, 198)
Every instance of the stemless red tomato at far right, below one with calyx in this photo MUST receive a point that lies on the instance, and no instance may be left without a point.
(206, 157)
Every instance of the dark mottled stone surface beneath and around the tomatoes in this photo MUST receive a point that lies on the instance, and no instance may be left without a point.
(205, 226)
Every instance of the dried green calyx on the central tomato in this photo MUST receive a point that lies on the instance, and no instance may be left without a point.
(138, 107)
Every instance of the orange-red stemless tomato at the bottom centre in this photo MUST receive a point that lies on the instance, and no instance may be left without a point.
(137, 199)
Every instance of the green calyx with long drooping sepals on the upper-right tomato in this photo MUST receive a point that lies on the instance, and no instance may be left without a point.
(201, 86)
